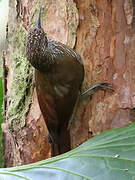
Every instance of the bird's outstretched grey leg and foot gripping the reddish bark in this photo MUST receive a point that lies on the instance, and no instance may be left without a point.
(97, 86)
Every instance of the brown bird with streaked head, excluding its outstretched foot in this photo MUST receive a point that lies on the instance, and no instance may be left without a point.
(58, 77)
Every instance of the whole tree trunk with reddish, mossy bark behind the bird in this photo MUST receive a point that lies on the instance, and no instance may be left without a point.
(102, 32)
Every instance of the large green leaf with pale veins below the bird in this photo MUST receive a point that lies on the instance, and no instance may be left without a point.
(108, 156)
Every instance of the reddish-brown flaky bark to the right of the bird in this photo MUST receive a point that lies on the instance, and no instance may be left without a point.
(105, 40)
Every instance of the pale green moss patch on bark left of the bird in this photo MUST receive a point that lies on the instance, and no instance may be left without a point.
(21, 88)
